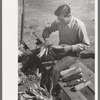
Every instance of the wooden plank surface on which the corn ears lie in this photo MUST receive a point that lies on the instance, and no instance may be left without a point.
(87, 93)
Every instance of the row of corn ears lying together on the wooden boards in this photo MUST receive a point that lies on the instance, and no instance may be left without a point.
(73, 77)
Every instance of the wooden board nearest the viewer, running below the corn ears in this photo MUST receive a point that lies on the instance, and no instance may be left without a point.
(72, 95)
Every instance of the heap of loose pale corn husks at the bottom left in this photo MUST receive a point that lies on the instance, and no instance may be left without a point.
(35, 91)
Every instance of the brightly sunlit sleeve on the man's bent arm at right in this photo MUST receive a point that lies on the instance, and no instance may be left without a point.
(83, 40)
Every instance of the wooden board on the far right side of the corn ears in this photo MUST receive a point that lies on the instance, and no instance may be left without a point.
(87, 74)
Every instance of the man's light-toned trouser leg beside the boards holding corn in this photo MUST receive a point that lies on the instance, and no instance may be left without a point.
(62, 64)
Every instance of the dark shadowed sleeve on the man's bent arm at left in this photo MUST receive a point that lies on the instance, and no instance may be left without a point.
(48, 30)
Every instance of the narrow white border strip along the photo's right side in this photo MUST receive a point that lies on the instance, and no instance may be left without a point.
(96, 49)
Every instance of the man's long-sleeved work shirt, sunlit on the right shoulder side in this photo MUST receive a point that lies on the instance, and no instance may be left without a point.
(70, 33)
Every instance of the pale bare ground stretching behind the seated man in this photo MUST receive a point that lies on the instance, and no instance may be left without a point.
(40, 13)
